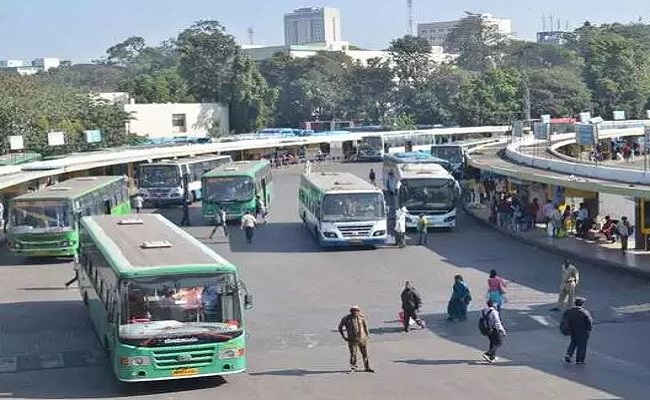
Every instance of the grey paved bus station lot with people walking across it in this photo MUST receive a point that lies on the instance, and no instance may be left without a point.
(301, 293)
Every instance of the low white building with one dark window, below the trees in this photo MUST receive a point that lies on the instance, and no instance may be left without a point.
(176, 119)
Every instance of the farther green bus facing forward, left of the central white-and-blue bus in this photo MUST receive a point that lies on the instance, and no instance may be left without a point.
(235, 188)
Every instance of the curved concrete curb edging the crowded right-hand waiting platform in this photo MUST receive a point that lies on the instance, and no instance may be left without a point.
(636, 272)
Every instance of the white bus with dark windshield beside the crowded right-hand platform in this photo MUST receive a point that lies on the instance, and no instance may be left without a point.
(428, 189)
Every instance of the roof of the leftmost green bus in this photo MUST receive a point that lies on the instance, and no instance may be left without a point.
(70, 189)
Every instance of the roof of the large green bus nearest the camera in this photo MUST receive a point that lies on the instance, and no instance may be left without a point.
(149, 245)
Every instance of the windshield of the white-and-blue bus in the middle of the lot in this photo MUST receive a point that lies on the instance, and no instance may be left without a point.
(353, 207)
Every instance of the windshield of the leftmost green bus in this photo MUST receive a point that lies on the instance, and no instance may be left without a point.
(31, 215)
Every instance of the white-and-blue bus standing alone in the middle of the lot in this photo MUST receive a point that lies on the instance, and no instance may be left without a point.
(341, 209)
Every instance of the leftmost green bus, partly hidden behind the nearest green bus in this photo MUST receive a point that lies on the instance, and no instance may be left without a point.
(45, 223)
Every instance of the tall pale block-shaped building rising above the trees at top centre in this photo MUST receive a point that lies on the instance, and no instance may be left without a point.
(312, 25)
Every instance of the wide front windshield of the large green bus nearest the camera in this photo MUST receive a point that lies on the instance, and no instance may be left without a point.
(160, 308)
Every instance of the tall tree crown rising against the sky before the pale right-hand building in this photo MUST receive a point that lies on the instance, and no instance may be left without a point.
(477, 42)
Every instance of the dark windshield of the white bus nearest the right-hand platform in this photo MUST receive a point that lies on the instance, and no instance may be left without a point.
(428, 194)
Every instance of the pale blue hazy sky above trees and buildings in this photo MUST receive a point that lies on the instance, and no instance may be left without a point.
(82, 29)
